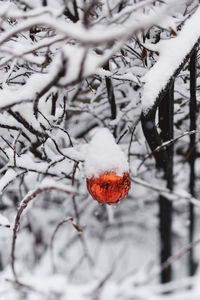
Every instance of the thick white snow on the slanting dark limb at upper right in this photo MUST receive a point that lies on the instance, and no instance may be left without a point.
(171, 54)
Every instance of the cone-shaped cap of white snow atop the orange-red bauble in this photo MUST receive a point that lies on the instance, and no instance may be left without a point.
(104, 155)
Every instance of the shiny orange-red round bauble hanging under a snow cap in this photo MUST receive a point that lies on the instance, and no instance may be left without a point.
(109, 188)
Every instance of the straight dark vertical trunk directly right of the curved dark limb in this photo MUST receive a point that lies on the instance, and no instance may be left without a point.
(166, 113)
